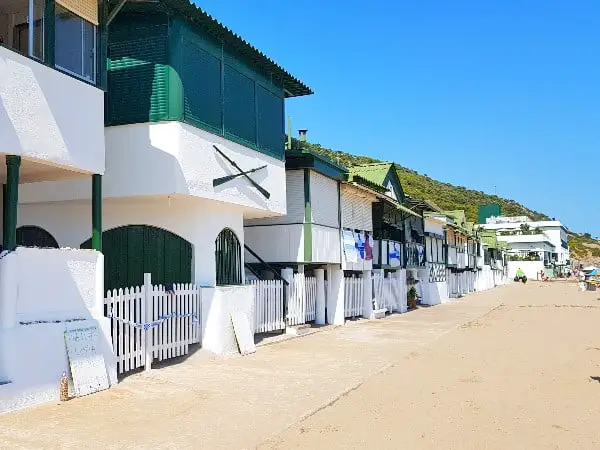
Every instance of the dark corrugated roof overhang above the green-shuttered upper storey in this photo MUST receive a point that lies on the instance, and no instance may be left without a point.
(293, 86)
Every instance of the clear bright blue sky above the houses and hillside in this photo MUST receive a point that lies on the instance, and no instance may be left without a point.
(500, 97)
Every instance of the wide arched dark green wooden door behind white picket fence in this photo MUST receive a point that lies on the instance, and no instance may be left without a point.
(133, 250)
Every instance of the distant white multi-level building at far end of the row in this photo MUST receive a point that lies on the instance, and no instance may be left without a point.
(525, 237)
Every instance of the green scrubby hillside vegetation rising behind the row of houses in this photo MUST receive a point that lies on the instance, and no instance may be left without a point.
(450, 197)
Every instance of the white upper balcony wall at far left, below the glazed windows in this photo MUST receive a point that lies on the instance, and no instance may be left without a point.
(48, 116)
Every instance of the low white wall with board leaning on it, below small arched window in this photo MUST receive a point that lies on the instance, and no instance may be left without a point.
(218, 303)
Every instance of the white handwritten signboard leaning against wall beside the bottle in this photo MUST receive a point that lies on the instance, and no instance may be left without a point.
(88, 368)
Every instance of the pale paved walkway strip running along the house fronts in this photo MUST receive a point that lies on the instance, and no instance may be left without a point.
(242, 402)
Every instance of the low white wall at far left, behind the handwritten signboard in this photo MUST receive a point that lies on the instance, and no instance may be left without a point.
(43, 293)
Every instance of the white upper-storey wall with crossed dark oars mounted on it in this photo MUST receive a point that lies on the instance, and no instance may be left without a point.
(174, 158)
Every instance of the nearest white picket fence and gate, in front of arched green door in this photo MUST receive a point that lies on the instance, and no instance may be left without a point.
(148, 323)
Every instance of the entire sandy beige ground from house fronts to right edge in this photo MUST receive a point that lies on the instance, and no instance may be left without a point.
(517, 367)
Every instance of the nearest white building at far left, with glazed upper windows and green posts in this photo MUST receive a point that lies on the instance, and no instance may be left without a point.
(51, 135)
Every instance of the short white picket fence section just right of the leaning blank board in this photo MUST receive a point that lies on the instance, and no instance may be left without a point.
(268, 305)
